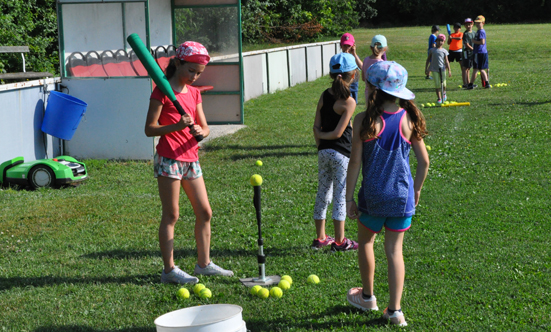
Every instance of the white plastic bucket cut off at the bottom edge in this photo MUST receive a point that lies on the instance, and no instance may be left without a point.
(206, 318)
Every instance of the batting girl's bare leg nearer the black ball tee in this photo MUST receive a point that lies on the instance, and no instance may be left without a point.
(197, 194)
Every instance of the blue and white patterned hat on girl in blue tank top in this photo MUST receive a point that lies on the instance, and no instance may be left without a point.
(391, 78)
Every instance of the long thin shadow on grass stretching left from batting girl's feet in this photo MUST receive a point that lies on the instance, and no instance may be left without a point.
(21, 282)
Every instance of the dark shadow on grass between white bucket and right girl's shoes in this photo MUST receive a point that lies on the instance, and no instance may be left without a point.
(312, 322)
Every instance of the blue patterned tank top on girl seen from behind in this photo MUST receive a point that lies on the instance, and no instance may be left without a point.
(387, 185)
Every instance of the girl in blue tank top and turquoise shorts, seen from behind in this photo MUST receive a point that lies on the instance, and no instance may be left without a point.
(382, 138)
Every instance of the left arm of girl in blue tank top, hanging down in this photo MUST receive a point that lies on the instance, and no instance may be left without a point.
(354, 166)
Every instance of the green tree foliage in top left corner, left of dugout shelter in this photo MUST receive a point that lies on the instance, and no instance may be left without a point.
(30, 23)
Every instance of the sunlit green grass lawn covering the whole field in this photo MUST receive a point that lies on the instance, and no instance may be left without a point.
(477, 255)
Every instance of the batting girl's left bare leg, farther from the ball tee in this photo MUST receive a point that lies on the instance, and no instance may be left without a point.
(169, 191)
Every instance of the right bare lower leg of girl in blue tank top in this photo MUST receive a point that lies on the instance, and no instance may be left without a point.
(396, 267)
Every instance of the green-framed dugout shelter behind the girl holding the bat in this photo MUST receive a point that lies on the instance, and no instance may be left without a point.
(99, 67)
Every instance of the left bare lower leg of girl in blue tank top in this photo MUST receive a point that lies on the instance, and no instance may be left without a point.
(366, 258)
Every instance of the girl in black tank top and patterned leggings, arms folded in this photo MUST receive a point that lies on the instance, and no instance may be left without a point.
(333, 135)
